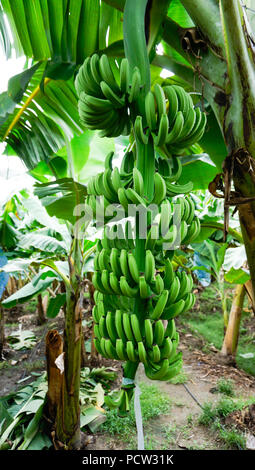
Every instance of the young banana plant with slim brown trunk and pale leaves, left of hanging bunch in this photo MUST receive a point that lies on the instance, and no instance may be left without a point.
(62, 259)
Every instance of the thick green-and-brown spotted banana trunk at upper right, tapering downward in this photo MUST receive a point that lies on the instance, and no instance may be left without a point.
(229, 87)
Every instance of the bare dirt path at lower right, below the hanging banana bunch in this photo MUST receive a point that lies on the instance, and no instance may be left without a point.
(180, 428)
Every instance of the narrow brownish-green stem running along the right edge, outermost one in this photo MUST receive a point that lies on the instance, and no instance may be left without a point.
(239, 120)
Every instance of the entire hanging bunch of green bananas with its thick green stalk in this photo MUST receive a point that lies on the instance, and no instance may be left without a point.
(136, 287)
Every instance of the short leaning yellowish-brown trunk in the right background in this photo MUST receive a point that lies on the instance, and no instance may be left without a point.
(231, 337)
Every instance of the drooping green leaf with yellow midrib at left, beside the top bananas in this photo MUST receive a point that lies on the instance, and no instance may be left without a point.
(35, 128)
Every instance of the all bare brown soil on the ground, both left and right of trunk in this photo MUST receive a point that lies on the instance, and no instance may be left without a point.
(202, 370)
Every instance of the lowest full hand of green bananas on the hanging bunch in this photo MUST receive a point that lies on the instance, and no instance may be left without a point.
(121, 335)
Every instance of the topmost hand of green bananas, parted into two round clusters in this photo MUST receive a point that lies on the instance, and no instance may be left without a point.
(106, 105)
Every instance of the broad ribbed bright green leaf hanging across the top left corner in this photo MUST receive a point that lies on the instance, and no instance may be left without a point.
(62, 30)
